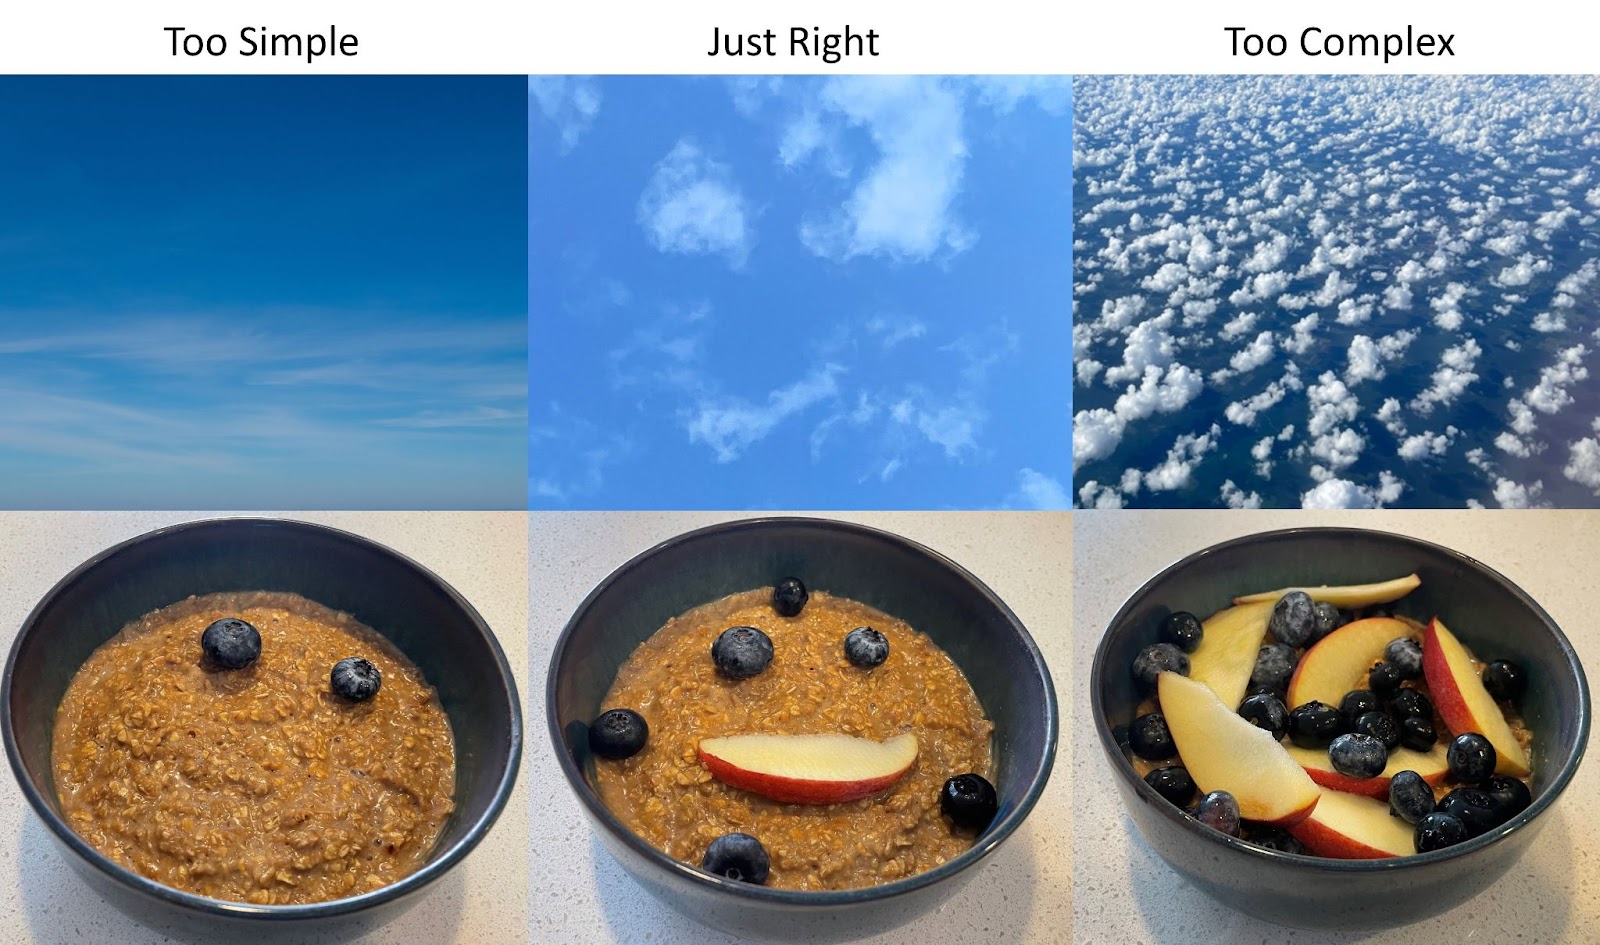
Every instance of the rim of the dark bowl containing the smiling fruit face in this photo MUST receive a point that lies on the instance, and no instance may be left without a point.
(796, 898)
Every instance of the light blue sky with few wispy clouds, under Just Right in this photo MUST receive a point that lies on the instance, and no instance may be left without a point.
(799, 293)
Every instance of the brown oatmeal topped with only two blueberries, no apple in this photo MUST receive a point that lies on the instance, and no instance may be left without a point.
(257, 784)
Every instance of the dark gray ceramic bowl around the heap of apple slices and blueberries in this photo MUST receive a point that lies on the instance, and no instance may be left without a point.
(1490, 615)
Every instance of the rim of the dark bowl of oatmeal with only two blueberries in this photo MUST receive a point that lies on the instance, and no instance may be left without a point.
(242, 911)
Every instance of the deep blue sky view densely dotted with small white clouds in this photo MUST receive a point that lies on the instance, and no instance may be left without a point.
(1337, 292)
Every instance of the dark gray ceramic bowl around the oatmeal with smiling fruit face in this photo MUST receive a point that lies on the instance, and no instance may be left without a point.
(898, 576)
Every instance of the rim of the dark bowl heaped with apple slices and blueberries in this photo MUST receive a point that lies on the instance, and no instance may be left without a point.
(1308, 863)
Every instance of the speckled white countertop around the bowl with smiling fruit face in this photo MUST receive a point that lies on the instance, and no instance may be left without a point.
(582, 896)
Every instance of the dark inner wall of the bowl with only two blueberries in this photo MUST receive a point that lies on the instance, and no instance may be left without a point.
(399, 599)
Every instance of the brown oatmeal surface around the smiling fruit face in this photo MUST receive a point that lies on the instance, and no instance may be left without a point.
(670, 799)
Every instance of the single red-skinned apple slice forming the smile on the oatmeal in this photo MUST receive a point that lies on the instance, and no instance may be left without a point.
(809, 770)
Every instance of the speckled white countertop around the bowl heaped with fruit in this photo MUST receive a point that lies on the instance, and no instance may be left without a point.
(1124, 893)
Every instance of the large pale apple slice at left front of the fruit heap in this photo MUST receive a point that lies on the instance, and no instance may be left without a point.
(1226, 754)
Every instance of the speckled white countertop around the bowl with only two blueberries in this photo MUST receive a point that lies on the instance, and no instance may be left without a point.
(484, 556)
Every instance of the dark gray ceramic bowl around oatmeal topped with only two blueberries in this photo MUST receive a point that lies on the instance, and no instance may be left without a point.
(433, 624)
